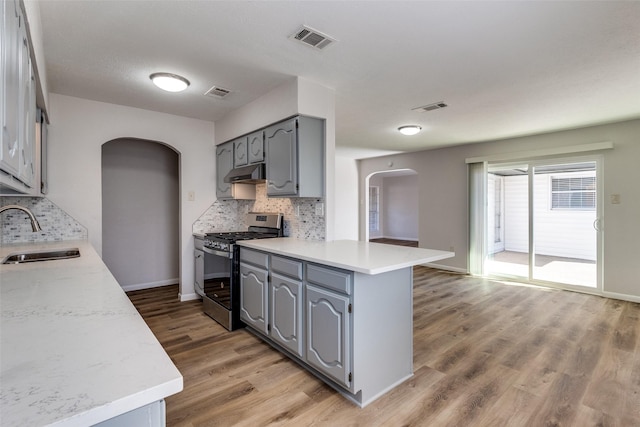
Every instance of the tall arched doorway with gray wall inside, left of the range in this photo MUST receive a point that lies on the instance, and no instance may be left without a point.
(141, 212)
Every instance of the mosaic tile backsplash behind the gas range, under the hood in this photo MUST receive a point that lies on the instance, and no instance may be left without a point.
(300, 220)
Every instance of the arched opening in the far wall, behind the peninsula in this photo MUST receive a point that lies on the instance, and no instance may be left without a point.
(392, 201)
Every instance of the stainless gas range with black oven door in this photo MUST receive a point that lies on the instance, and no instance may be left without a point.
(218, 276)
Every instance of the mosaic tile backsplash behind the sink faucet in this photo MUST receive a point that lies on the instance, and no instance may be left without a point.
(56, 224)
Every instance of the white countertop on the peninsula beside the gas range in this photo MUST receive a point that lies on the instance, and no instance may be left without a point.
(362, 257)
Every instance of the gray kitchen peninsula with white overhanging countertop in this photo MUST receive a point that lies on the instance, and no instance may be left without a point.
(342, 309)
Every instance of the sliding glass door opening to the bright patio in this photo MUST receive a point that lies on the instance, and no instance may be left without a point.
(541, 222)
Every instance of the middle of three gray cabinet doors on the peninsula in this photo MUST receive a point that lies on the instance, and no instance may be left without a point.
(285, 313)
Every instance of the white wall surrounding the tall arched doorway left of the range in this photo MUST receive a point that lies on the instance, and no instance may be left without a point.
(78, 129)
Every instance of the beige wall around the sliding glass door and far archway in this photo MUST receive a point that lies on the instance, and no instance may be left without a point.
(443, 195)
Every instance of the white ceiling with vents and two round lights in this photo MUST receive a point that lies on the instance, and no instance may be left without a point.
(505, 69)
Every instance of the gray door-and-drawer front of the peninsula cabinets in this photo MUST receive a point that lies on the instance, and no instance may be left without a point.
(321, 302)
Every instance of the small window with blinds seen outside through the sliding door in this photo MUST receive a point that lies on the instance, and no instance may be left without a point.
(576, 193)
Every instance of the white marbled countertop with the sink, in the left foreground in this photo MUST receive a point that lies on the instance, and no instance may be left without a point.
(74, 350)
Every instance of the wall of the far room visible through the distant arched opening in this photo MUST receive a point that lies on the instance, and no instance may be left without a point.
(401, 209)
